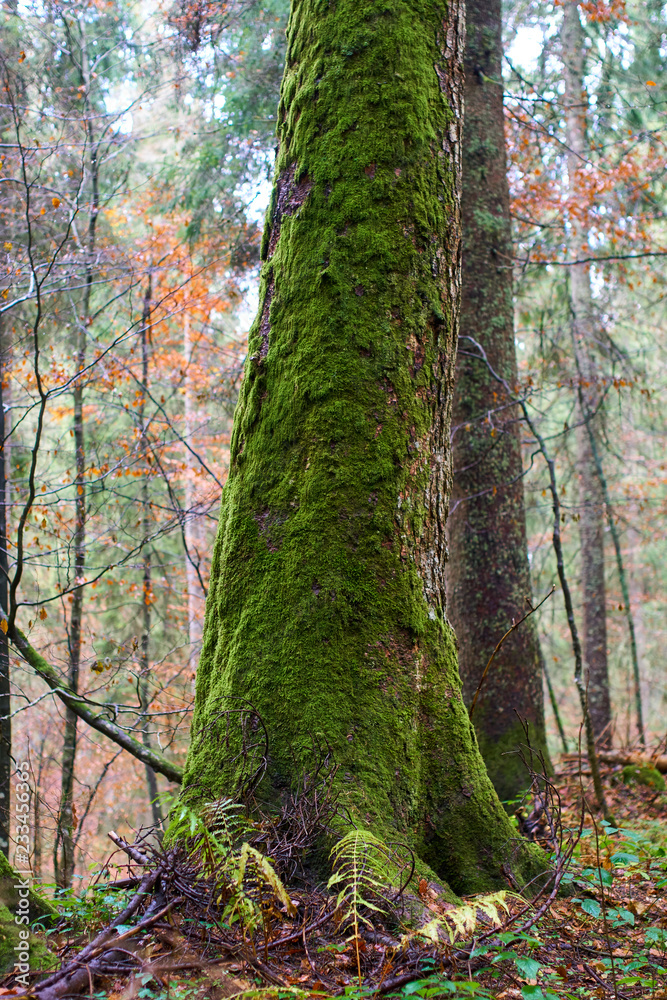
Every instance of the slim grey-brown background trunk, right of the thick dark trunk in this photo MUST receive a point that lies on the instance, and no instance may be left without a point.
(591, 501)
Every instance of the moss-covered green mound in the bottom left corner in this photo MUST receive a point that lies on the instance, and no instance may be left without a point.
(20, 906)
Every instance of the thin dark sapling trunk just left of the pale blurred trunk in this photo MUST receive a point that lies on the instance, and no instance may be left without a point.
(147, 587)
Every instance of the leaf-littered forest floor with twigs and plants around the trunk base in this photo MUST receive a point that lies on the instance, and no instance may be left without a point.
(603, 935)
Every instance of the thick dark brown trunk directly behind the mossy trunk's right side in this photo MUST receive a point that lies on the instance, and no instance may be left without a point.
(488, 576)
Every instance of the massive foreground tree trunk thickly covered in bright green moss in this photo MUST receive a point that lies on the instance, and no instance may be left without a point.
(326, 603)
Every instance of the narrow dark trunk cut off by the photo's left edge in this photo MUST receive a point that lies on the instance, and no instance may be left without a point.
(6, 764)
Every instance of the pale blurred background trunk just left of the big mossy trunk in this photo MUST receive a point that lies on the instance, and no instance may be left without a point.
(193, 527)
